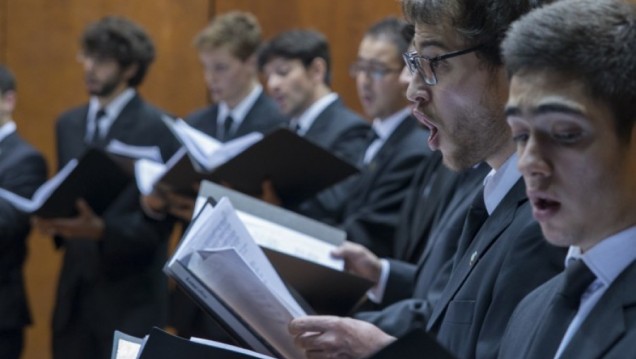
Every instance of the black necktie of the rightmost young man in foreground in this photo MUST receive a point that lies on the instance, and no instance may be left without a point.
(562, 310)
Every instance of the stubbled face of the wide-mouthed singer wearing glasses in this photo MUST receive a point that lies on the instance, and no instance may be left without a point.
(464, 109)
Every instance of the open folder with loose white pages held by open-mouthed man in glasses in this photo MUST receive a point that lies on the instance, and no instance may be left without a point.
(221, 267)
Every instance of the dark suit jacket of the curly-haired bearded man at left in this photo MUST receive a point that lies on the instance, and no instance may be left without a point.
(119, 276)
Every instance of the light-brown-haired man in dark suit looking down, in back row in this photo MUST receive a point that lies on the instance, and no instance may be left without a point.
(227, 50)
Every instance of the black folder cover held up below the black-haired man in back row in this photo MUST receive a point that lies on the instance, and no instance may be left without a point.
(297, 167)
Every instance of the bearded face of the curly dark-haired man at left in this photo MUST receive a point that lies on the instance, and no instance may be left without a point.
(103, 76)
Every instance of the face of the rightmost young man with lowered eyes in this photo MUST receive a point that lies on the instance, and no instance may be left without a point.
(581, 180)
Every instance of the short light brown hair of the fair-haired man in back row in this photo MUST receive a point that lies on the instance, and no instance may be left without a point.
(238, 31)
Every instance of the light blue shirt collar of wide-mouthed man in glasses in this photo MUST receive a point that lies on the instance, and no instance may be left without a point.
(499, 182)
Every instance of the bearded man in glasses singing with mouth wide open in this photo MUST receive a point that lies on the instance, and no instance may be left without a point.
(459, 87)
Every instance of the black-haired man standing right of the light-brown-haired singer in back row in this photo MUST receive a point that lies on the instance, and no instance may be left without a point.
(297, 67)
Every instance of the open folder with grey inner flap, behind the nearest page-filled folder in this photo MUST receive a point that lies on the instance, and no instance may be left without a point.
(299, 248)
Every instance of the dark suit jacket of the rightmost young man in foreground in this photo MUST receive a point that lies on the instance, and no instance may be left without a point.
(609, 331)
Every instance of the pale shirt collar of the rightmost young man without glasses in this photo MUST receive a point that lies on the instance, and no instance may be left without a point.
(608, 258)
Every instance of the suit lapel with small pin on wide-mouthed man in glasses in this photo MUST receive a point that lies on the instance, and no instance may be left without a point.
(485, 237)
